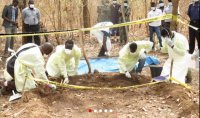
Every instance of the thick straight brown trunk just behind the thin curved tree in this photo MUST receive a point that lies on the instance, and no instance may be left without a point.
(86, 15)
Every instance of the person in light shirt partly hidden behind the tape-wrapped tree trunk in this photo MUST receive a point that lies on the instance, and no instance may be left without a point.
(168, 10)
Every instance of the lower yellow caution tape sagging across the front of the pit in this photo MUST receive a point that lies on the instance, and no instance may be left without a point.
(93, 88)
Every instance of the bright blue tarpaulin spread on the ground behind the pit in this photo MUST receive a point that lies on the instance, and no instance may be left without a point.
(108, 65)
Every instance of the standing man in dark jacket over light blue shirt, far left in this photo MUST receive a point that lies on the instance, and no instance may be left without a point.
(10, 15)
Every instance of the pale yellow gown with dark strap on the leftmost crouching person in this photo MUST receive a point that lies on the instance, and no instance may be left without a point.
(32, 58)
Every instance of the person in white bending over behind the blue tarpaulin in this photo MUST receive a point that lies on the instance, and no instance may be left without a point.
(102, 36)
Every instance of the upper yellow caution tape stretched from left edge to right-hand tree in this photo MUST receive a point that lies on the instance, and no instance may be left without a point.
(88, 29)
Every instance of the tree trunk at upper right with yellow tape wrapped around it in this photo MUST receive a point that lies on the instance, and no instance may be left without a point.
(175, 15)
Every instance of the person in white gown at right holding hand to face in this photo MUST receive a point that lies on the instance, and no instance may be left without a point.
(176, 45)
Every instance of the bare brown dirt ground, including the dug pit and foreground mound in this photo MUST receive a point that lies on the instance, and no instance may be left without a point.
(164, 100)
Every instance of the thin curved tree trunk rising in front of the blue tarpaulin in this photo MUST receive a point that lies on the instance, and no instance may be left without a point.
(81, 34)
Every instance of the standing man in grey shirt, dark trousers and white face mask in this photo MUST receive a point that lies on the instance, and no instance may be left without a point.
(31, 18)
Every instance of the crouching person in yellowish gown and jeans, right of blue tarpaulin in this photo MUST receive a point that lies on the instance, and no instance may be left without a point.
(130, 54)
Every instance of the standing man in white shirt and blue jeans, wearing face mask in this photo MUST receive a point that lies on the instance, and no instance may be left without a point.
(155, 26)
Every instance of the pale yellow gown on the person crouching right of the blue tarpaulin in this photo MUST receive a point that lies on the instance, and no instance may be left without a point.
(127, 61)
